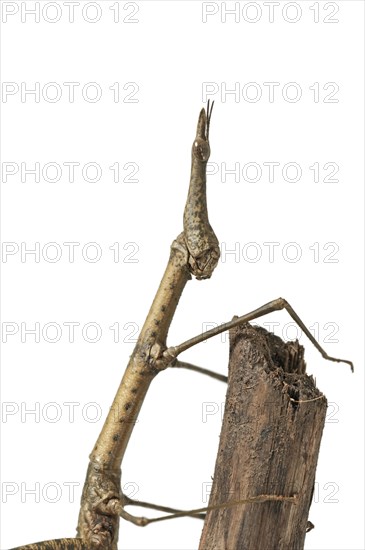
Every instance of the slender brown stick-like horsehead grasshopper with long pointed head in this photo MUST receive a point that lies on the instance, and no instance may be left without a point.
(195, 252)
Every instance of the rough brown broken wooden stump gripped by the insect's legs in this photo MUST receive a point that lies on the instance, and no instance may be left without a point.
(269, 444)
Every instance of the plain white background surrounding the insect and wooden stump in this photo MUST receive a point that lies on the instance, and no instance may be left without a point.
(169, 52)
